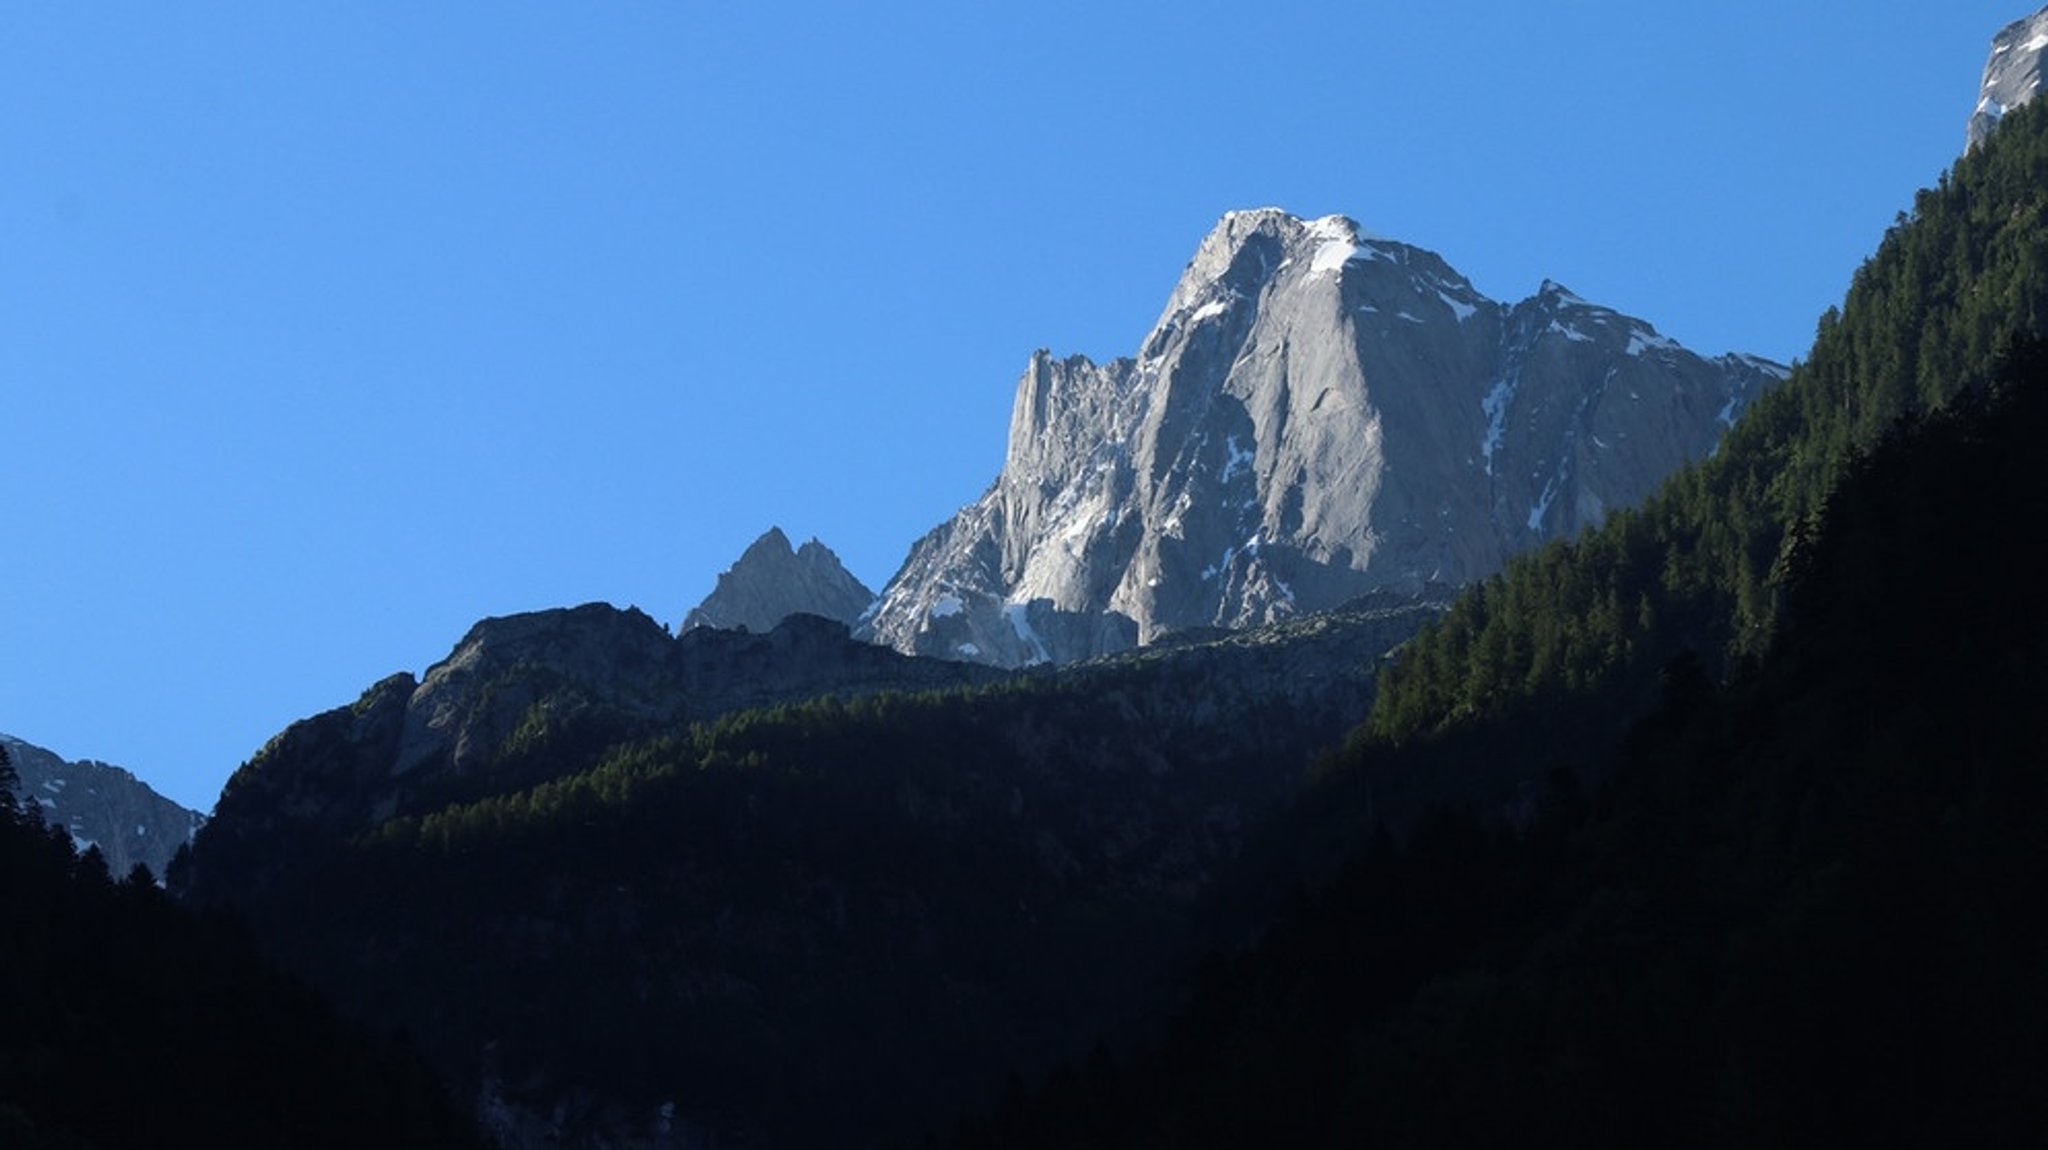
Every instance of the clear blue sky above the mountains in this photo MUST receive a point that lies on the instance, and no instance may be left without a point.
(333, 328)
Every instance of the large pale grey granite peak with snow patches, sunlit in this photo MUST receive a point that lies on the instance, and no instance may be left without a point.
(1318, 414)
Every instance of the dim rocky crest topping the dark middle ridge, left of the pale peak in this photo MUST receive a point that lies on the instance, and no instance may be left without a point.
(568, 682)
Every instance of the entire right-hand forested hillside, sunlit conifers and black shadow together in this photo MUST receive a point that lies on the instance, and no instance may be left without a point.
(1799, 901)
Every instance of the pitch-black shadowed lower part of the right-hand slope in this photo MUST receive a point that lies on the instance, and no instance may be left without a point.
(1803, 912)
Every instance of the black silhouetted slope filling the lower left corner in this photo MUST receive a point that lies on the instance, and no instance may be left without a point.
(132, 1022)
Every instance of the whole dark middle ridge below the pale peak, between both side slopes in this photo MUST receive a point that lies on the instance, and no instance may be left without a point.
(593, 895)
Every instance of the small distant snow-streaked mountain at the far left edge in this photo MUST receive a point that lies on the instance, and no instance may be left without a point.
(103, 807)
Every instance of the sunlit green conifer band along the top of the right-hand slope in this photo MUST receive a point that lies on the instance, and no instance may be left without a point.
(1701, 566)
